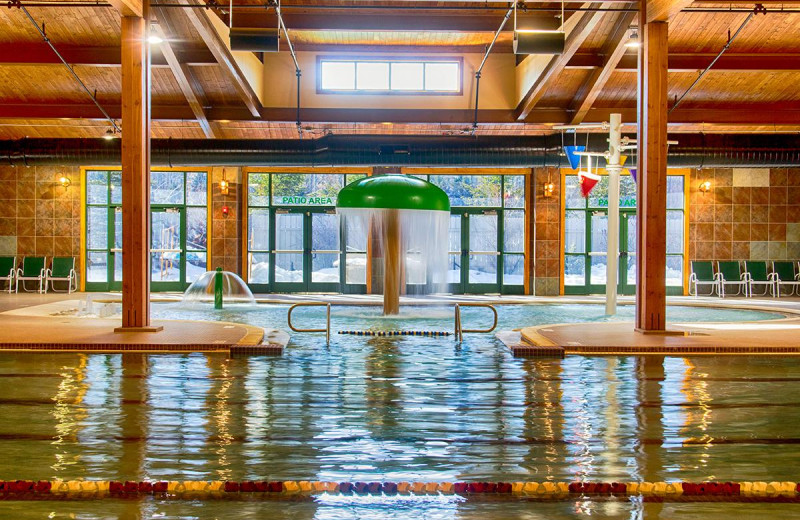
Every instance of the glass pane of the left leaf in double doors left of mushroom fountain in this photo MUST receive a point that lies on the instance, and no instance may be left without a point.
(289, 237)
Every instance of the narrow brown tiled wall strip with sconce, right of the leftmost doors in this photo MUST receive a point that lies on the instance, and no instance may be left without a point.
(226, 246)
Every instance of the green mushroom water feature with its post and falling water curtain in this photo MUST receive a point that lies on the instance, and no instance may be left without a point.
(408, 220)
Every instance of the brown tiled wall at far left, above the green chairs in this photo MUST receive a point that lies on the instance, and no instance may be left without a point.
(38, 216)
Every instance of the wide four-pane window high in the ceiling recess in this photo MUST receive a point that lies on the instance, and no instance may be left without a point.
(390, 76)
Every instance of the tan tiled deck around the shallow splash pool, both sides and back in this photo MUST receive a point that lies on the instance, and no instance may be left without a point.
(42, 322)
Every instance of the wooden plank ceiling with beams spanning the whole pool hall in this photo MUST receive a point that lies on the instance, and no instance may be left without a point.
(751, 89)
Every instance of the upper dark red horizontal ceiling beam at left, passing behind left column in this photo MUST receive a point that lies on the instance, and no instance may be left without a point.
(91, 56)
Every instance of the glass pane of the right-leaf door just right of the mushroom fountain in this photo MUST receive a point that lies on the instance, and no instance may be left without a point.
(483, 252)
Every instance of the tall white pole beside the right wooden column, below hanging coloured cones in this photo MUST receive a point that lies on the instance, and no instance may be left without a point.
(613, 168)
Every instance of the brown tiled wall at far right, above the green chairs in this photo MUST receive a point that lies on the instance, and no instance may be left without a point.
(750, 214)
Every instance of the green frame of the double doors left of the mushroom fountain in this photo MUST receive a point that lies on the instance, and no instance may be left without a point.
(306, 285)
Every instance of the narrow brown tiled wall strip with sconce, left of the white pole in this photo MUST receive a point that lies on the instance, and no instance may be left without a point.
(546, 270)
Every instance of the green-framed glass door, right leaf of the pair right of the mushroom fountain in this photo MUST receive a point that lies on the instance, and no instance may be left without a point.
(481, 230)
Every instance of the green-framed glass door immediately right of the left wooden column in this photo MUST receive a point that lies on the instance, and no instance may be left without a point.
(167, 269)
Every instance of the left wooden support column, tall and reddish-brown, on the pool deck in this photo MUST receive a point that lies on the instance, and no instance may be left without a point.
(135, 173)
